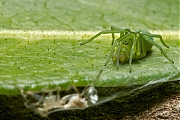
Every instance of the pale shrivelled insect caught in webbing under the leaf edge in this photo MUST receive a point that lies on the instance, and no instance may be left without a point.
(47, 102)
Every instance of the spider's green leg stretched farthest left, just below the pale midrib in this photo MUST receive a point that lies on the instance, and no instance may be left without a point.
(98, 34)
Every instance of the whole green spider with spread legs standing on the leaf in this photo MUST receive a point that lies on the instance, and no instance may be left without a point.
(130, 45)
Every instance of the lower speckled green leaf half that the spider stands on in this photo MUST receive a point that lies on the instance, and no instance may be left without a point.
(49, 60)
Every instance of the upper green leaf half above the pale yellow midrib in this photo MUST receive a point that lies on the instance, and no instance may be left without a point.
(89, 15)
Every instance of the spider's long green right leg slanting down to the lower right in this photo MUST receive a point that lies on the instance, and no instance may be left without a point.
(158, 46)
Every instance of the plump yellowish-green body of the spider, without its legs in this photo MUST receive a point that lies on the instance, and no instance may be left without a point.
(123, 49)
